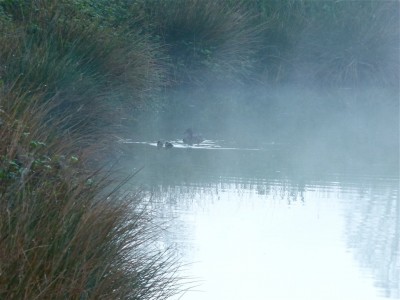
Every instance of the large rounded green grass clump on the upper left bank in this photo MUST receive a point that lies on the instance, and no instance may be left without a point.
(94, 73)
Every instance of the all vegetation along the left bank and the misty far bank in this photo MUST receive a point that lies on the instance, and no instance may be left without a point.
(73, 74)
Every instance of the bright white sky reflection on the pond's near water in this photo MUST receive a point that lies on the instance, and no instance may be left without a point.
(252, 246)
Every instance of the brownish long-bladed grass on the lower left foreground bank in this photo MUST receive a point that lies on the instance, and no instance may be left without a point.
(61, 235)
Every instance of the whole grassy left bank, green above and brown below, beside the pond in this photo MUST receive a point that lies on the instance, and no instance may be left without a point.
(65, 85)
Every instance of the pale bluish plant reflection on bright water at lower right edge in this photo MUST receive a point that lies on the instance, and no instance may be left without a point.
(373, 233)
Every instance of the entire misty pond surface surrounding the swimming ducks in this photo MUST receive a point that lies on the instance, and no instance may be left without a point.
(294, 194)
